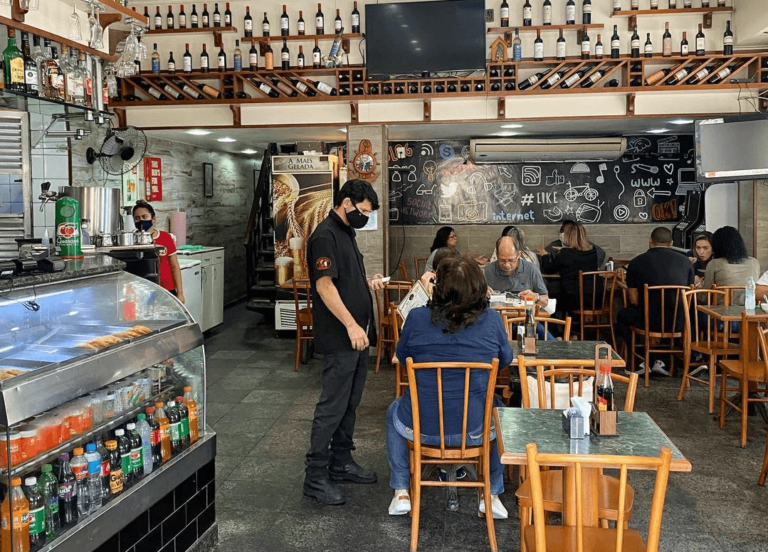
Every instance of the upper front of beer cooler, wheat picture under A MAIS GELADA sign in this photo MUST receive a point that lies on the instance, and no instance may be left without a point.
(302, 196)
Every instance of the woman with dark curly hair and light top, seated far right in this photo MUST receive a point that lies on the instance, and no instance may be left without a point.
(730, 265)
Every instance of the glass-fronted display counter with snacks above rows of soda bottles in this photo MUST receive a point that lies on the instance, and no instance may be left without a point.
(94, 452)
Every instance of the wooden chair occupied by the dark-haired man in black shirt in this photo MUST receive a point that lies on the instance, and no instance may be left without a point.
(659, 339)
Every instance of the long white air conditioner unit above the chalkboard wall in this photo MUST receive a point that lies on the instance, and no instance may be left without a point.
(507, 150)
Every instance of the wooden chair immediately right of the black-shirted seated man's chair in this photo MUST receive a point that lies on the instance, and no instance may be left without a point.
(703, 336)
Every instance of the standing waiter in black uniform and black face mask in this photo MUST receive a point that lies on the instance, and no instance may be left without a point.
(344, 327)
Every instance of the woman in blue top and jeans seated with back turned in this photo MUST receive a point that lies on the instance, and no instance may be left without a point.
(456, 326)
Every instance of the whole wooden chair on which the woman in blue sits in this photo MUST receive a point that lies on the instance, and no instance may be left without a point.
(477, 455)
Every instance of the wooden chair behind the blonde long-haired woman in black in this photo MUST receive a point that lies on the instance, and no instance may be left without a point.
(595, 312)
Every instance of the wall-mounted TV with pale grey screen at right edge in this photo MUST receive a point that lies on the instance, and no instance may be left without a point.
(732, 148)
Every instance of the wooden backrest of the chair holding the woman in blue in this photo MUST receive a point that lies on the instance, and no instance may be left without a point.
(444, 451)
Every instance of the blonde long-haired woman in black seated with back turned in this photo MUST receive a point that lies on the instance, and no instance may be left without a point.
(577, 254)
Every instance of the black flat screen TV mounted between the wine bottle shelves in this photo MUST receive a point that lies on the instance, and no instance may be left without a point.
(411, 38)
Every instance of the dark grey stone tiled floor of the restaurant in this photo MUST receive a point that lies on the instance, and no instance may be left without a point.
(262, 411)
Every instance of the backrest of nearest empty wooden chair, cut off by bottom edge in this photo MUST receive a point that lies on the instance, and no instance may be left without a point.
(660, 464)
